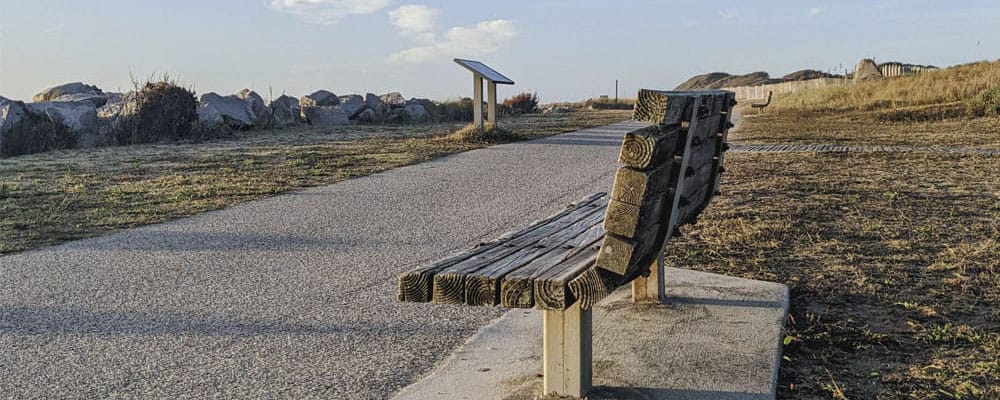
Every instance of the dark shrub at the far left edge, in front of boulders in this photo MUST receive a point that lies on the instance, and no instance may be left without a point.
(35, 133)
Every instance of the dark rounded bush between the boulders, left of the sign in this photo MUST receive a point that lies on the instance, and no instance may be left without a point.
(164, 111)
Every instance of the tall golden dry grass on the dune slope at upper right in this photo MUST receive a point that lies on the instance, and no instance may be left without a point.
(956, 84)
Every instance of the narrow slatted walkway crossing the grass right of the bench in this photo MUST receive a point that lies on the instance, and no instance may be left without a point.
(833, 148)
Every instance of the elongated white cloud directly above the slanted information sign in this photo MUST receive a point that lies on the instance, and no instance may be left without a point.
(486, 37)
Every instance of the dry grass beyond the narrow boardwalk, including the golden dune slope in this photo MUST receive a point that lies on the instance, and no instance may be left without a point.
(918, 110)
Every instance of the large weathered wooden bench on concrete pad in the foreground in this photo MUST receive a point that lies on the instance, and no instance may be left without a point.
(566, 263)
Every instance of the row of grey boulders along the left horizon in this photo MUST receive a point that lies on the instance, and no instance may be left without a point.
(90, 113)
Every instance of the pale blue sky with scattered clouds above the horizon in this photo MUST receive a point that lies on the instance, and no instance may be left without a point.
(564, 50)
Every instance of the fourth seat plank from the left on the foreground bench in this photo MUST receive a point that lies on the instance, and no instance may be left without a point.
(517, 289)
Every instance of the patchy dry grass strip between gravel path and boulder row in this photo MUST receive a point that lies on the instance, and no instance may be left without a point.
(53, 197)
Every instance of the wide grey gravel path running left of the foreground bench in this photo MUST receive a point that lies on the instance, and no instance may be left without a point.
(287, 297)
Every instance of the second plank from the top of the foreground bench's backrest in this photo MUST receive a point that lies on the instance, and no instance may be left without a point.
(648, 147)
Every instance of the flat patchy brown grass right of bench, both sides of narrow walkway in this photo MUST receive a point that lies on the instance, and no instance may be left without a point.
(891, 258)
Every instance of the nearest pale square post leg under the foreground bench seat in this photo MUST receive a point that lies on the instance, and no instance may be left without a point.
(566, 355)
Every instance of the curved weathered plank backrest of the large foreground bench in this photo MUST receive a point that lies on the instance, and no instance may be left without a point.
(670, 172)
